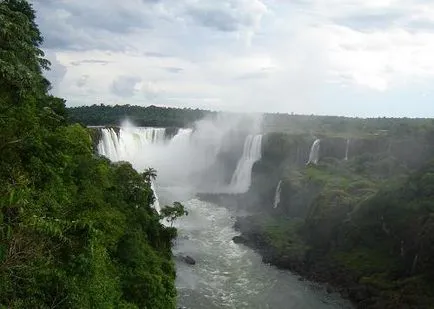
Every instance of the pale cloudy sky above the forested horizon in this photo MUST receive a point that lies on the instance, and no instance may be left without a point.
(365, 58)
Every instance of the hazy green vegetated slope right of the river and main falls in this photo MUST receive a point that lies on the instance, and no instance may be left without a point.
(364, 225)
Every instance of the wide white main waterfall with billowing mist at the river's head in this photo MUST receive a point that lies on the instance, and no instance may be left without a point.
(191, 158)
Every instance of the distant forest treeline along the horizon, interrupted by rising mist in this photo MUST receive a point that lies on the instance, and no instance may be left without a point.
(170, 117)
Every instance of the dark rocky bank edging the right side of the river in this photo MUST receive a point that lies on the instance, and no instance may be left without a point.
(367, 281)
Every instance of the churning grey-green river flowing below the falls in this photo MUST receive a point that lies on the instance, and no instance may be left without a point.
(229, 275)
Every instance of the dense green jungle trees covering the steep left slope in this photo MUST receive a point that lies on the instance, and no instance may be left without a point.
(76, 231)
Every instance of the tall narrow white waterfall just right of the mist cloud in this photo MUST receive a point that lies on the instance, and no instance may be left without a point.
(241, 179)
